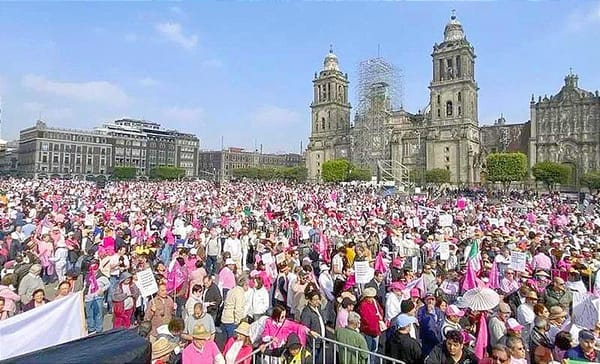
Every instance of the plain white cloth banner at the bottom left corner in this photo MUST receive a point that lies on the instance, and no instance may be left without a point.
(52, 324)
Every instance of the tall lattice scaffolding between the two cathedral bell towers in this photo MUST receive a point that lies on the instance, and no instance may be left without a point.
(380, 92)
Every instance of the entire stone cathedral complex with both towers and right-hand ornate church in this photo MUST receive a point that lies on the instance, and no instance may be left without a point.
(446, 134)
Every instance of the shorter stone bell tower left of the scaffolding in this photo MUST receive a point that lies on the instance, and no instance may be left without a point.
(330, 117)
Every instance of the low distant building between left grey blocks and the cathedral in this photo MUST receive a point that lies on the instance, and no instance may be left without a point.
(218, 164)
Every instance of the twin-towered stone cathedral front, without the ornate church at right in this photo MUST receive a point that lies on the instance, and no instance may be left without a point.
(445, 135)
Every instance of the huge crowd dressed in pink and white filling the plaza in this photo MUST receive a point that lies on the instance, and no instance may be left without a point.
(285, 270)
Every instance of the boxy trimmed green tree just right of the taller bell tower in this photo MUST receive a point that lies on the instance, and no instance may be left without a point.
(506, 167)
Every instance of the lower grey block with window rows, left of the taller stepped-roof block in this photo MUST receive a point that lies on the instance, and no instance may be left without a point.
(56, 152)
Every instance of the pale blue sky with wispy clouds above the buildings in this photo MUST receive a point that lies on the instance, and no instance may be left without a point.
(243, 70)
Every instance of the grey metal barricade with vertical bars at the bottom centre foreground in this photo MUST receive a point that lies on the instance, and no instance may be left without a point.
(327, 351)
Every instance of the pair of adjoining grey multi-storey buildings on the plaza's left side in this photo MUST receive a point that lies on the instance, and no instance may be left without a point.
(141, 144)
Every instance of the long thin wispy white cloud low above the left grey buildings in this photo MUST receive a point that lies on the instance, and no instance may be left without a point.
(101, 92)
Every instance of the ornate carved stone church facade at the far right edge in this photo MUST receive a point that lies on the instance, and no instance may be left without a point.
(565, 128)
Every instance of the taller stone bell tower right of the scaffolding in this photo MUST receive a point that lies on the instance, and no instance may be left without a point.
(453, 140)
